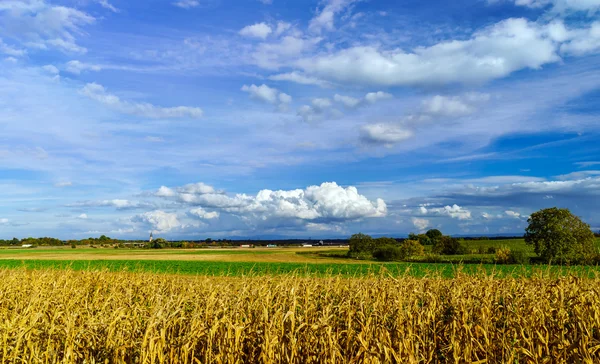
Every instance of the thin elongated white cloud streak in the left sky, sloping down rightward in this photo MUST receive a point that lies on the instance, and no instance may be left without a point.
(98, 93)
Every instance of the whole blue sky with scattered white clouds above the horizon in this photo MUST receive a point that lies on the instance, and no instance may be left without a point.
(231, 119)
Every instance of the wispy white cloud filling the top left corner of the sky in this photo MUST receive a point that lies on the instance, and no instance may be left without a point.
(48, 26)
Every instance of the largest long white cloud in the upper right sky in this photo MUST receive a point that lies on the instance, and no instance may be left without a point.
(491, 53)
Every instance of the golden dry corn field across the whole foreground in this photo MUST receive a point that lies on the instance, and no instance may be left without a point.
(54, 316)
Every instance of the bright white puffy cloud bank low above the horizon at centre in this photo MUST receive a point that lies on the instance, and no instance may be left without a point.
(327, 202)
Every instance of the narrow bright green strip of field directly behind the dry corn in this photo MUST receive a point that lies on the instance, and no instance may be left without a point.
(211, 268)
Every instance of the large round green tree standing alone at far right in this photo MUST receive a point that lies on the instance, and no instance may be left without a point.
(558, 234)
